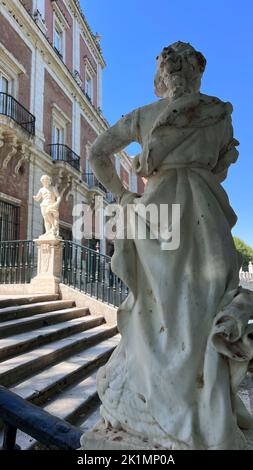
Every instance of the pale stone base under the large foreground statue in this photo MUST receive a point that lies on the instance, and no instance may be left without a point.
(103, 438)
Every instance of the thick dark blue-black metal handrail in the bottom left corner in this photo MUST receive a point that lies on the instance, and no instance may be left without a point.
(47, 429)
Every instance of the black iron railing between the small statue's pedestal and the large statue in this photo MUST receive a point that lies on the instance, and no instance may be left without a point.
(90, 272)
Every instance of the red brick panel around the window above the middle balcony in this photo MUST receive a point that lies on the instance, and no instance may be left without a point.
(54, 94)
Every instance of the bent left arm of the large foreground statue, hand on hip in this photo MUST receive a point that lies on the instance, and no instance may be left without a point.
(113, 140)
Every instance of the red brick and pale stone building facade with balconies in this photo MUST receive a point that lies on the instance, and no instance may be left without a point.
(50, 113)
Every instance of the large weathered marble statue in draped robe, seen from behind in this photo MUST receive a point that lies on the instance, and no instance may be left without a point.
(186, 341)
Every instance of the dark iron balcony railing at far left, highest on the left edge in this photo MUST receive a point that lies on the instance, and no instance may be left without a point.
(13, 109)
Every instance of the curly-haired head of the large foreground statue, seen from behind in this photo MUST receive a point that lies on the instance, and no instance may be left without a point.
(179, 70)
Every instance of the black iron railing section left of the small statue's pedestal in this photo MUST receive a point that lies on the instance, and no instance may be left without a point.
(18, 261)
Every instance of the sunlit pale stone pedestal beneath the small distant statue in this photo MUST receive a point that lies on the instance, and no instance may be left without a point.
(49, 266)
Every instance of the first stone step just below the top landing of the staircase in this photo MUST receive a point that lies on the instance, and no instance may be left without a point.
(12, 313)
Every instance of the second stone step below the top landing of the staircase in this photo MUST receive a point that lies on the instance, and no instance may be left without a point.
(23, 325)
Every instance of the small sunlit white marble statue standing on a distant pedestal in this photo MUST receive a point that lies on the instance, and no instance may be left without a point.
(51, 199)
